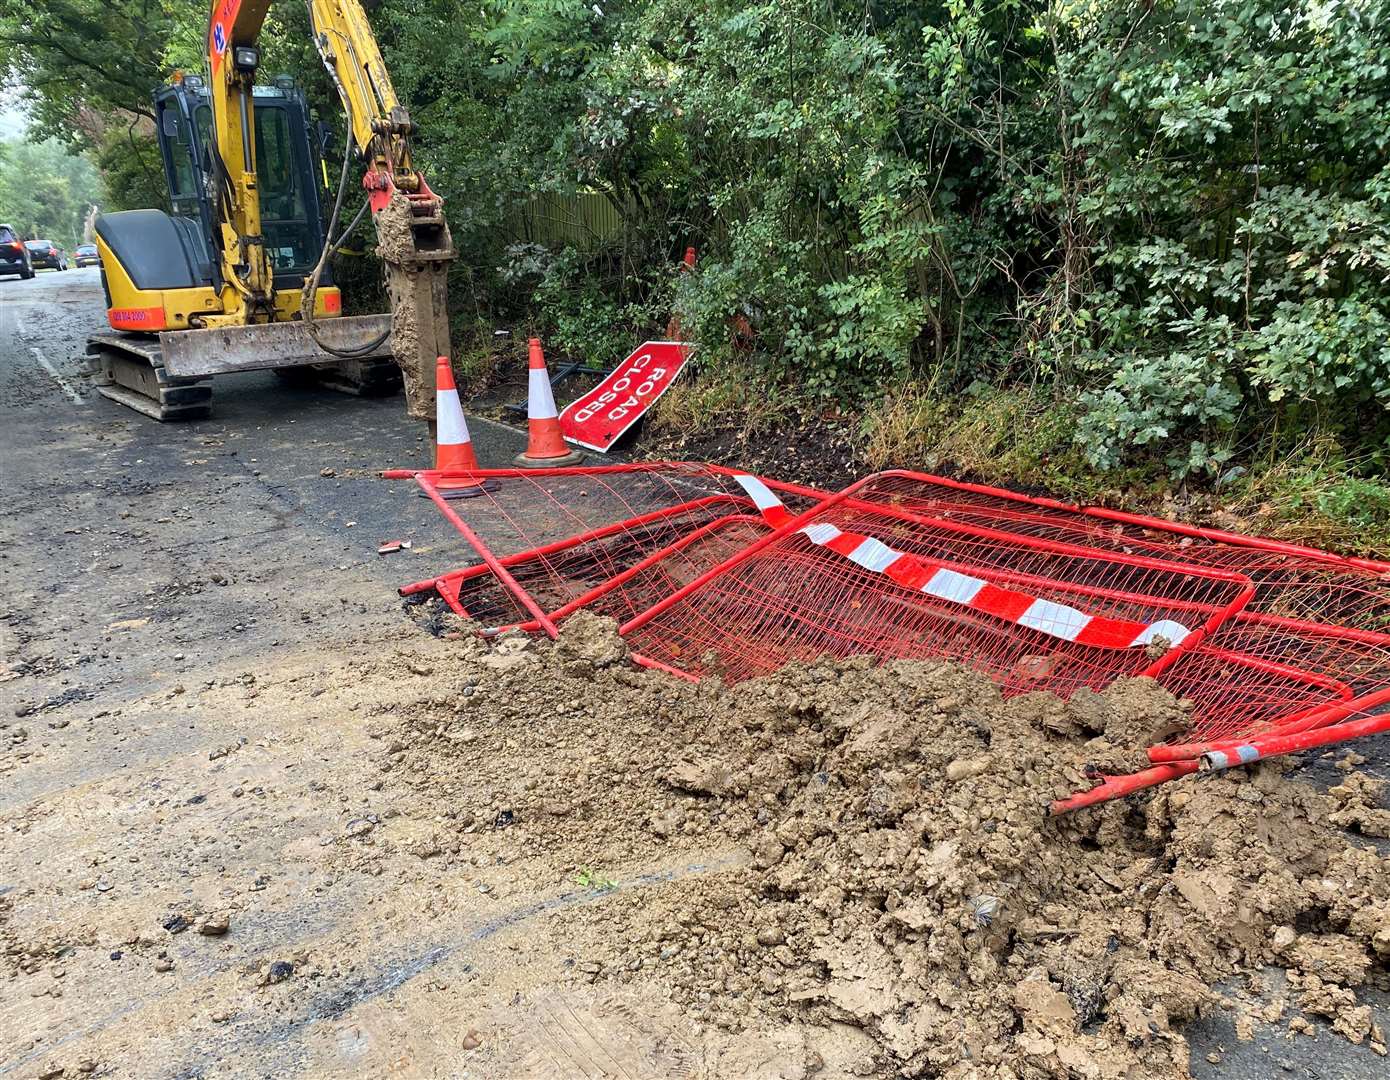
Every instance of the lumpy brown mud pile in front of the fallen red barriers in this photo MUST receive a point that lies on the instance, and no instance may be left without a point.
(899, 871)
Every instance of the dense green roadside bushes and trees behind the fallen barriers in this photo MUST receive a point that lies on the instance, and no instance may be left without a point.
(1114, 243)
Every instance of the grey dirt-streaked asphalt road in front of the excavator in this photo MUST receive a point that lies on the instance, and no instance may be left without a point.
(109, 516)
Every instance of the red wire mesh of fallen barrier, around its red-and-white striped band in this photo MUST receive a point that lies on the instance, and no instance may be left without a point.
(797, 600)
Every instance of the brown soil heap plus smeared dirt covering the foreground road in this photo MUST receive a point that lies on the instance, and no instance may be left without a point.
(580, 868)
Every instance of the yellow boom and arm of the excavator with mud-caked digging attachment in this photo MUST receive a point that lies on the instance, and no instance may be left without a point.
(414, 237)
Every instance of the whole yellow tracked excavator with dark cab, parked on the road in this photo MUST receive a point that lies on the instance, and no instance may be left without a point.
(236, 277)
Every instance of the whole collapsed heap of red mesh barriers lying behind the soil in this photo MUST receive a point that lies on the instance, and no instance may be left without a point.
(712, 573)
